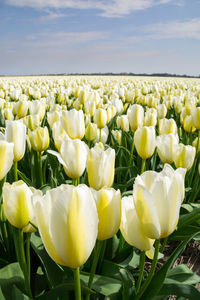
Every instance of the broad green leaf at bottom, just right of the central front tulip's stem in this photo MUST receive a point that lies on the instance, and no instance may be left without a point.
(102, 284)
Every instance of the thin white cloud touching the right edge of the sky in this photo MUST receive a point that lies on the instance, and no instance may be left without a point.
(189, 29)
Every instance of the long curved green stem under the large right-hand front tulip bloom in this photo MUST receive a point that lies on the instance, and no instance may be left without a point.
(151, 273)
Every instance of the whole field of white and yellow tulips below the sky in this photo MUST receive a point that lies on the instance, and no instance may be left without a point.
(99, 188)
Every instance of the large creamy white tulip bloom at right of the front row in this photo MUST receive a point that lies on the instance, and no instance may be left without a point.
(157, 198)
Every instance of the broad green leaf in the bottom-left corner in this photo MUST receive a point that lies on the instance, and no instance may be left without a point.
(10, 276)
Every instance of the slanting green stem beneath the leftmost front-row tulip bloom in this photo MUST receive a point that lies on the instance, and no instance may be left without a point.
(19, 246)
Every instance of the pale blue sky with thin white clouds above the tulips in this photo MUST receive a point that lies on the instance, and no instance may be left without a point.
(98, 36)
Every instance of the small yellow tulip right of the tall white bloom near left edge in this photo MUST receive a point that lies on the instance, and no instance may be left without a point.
(39, 138)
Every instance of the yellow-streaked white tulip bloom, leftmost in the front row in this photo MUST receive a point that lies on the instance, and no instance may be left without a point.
(17, 203)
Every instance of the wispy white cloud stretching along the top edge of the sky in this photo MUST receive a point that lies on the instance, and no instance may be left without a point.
(110, 8)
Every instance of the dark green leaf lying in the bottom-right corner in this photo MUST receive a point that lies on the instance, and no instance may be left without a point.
(181, 290)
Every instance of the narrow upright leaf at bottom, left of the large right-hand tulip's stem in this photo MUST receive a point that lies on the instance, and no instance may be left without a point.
(128, 284)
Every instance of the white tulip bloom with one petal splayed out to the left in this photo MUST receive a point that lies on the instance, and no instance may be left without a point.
(73, 157)
